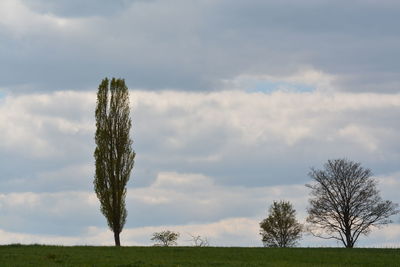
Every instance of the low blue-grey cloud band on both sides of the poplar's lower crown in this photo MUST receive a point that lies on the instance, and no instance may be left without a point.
(69, 213)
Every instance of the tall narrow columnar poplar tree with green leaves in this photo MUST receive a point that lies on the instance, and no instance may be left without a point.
(114, 156)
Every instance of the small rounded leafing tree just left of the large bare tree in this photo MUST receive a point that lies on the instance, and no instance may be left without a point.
(280, 228)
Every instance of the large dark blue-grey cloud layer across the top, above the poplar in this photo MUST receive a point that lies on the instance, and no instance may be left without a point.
(194, 45)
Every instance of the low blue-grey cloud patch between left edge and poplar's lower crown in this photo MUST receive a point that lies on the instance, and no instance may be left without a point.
(65, 213)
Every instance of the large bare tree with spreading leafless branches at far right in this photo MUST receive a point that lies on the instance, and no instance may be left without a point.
(345, 202)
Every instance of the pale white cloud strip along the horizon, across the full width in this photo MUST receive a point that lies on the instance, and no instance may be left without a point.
(228, 232)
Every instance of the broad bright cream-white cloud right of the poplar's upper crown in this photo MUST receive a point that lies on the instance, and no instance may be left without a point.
(284, 117)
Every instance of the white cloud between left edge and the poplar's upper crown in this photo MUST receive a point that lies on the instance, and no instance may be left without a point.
(29, 121)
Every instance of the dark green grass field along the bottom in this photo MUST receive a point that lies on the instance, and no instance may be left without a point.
(37, 255)
